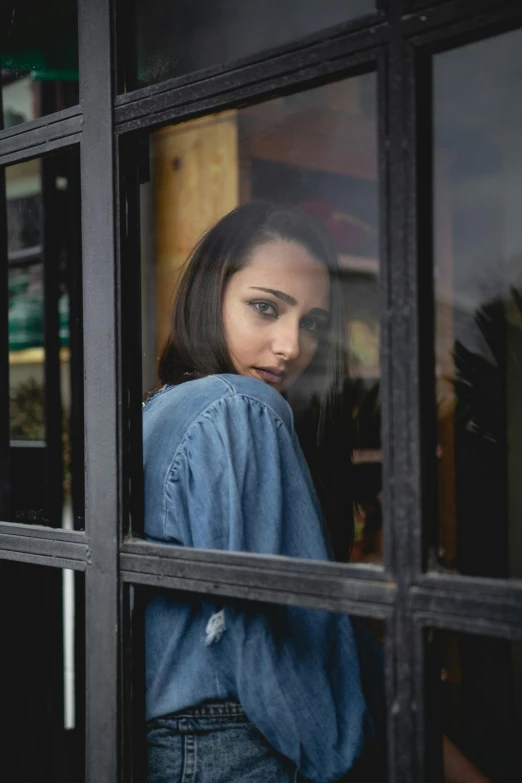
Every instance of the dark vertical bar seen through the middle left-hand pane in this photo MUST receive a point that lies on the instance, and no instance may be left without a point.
(52, 396)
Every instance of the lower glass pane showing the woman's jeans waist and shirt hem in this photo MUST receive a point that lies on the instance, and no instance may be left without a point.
(311, 682)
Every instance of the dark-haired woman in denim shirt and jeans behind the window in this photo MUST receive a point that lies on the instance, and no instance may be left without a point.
(239, 692)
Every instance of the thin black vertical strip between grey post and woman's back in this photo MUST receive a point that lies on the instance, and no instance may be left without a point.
(132, 661)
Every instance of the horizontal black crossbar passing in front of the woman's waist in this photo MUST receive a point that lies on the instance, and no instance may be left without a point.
(255, 577)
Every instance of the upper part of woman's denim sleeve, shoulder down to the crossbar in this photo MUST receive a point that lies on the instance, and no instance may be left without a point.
(239, 482)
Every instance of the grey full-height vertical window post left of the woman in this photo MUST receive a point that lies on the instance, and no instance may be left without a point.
(100, 391)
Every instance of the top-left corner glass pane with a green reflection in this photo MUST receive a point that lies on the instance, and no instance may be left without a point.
(39, 58)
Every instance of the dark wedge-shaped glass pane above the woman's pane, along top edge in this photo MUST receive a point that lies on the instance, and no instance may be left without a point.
(173, 39)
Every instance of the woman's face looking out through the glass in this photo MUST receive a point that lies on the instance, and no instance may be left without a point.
(274, 311)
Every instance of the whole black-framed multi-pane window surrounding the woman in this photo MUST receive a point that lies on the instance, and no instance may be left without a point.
(418, 103)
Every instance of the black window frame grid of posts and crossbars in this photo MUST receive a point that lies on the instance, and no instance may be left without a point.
(398, 41)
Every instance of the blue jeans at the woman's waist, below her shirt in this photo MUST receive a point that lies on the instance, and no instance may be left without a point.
(213, 743)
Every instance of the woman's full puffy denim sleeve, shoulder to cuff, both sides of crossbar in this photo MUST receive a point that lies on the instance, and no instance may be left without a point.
(240, 483)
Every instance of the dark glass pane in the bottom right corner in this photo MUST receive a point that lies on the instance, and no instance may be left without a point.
(479, 699)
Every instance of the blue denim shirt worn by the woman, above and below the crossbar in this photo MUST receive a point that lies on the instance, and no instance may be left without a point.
(224, 470)
